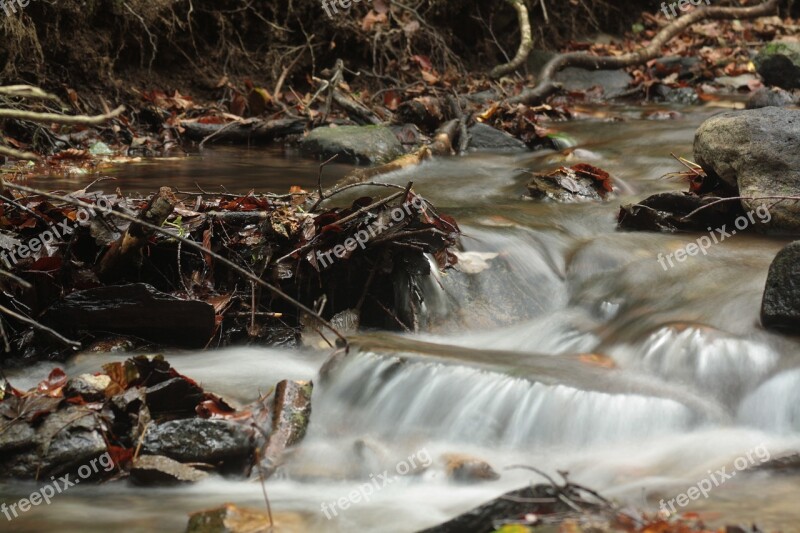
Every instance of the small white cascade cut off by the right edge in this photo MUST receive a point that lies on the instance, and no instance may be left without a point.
(775, 405)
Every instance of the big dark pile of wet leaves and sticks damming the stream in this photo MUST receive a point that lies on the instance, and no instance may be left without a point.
(103, 277)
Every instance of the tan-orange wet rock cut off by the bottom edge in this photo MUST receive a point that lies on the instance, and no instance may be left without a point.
(233, 519)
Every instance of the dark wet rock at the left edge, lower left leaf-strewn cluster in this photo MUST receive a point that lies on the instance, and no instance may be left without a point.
(65, 440)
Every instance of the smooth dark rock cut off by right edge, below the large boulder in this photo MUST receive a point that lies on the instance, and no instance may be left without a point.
(780, 306)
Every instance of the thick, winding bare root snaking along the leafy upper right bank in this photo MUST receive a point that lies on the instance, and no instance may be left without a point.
(651, 51)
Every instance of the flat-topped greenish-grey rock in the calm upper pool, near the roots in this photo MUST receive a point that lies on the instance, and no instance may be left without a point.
(353, 144)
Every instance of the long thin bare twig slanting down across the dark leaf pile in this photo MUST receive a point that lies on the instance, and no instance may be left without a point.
(227, 262)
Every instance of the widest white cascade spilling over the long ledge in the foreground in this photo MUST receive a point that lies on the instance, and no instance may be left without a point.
(393, 398)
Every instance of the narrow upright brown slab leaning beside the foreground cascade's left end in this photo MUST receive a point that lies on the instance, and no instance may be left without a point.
(290, 416)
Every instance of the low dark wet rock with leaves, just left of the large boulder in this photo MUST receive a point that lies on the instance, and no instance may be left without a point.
(667, 211)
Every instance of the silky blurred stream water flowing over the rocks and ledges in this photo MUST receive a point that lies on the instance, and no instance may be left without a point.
(574, 350)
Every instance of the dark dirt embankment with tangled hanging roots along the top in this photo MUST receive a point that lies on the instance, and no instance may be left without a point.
(106, 49)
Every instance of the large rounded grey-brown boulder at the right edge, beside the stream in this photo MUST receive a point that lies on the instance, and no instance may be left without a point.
(756, 151)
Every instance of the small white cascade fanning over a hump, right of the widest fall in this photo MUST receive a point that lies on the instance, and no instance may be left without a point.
(704, 358)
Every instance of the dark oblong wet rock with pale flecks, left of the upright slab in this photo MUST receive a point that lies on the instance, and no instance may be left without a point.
(198, 440)
